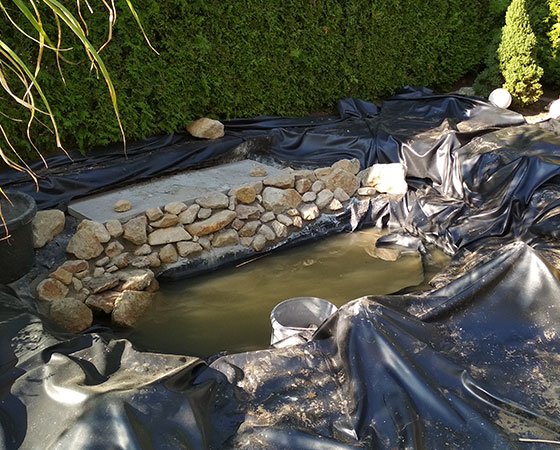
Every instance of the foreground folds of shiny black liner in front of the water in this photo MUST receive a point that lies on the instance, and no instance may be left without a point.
(472, 365)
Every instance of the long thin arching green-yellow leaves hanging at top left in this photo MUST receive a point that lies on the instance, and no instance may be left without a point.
(42, 24)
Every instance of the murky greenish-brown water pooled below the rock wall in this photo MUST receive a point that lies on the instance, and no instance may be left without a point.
(229, 310)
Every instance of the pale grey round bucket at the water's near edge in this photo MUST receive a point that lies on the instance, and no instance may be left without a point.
(295, 320)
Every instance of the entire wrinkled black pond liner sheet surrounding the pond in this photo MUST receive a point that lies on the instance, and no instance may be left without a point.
(473, 364)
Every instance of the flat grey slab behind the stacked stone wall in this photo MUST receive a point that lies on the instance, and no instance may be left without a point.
(183, 187)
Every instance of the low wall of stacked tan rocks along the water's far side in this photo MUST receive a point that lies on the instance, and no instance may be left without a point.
(112, 267)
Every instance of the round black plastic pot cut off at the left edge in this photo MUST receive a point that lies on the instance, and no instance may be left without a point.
(16, 251)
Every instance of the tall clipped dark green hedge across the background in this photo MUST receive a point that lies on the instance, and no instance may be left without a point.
(228, 59)
